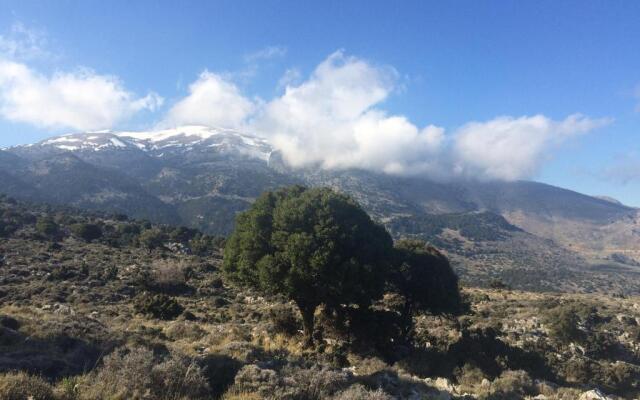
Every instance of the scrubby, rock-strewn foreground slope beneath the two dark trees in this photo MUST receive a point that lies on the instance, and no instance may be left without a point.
(97, 306)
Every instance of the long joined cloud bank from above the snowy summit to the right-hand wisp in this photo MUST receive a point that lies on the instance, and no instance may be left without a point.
(334, 119)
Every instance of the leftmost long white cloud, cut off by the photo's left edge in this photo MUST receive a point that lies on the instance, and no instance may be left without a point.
(81, 100)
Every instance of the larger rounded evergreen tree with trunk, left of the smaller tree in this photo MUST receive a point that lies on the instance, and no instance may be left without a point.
(314, 246)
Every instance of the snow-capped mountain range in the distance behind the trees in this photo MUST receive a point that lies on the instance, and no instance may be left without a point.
(532, 233)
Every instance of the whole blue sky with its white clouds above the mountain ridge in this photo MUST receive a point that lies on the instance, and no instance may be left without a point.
(541, 90)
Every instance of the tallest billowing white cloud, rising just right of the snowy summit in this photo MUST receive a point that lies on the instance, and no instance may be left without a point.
(330, 120)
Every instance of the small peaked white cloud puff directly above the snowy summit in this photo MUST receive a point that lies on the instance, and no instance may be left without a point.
(212, 101)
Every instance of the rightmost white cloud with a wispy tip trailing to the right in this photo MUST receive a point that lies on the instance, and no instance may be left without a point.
(512, 148)
